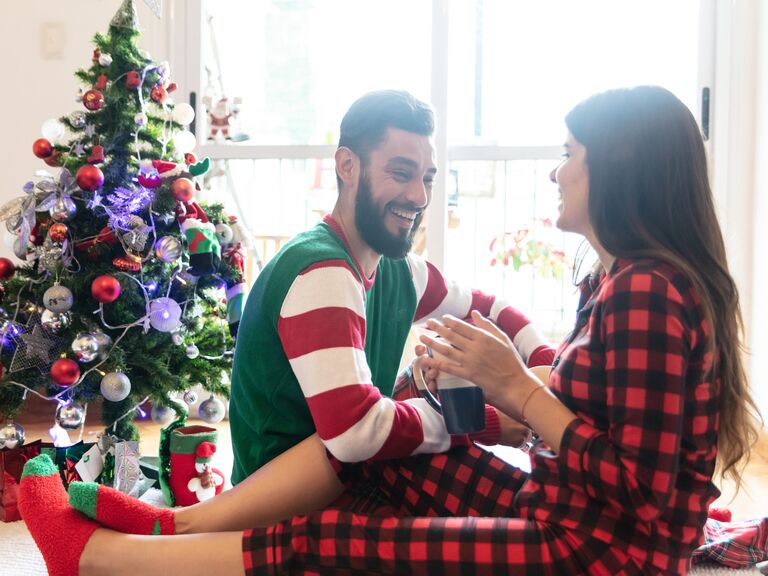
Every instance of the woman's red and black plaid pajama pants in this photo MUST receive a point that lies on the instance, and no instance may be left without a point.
(441, 515)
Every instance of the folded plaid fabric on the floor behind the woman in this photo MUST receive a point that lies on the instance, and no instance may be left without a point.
(734, 544)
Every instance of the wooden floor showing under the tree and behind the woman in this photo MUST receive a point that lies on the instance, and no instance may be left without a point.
(750, 502)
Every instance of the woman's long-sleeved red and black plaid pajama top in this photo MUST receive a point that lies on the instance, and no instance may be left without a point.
(635, 468)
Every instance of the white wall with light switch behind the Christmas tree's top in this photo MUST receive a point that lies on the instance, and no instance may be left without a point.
(39, 86)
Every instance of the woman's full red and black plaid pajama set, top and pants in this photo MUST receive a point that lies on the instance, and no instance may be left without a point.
(627, 494)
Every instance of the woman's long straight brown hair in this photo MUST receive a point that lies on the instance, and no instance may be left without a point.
(649, 196)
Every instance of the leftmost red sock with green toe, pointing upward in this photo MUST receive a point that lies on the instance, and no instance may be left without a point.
(60, 532)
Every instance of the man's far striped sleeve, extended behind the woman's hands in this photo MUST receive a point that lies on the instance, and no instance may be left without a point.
(436, 296)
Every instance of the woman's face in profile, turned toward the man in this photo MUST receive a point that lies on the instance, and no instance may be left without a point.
(572, 179)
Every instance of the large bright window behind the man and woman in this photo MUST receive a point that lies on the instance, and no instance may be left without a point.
(502, 74)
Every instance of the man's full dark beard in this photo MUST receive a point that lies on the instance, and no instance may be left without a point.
(370, 224)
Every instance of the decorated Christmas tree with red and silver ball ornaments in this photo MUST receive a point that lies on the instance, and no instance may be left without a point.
(129, 289)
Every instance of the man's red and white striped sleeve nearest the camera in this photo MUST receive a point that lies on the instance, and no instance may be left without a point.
(322, 329)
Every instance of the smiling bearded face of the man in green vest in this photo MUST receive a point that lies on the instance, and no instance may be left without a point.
(394, 189)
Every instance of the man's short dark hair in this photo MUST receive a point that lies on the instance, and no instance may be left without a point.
(365, 124)
